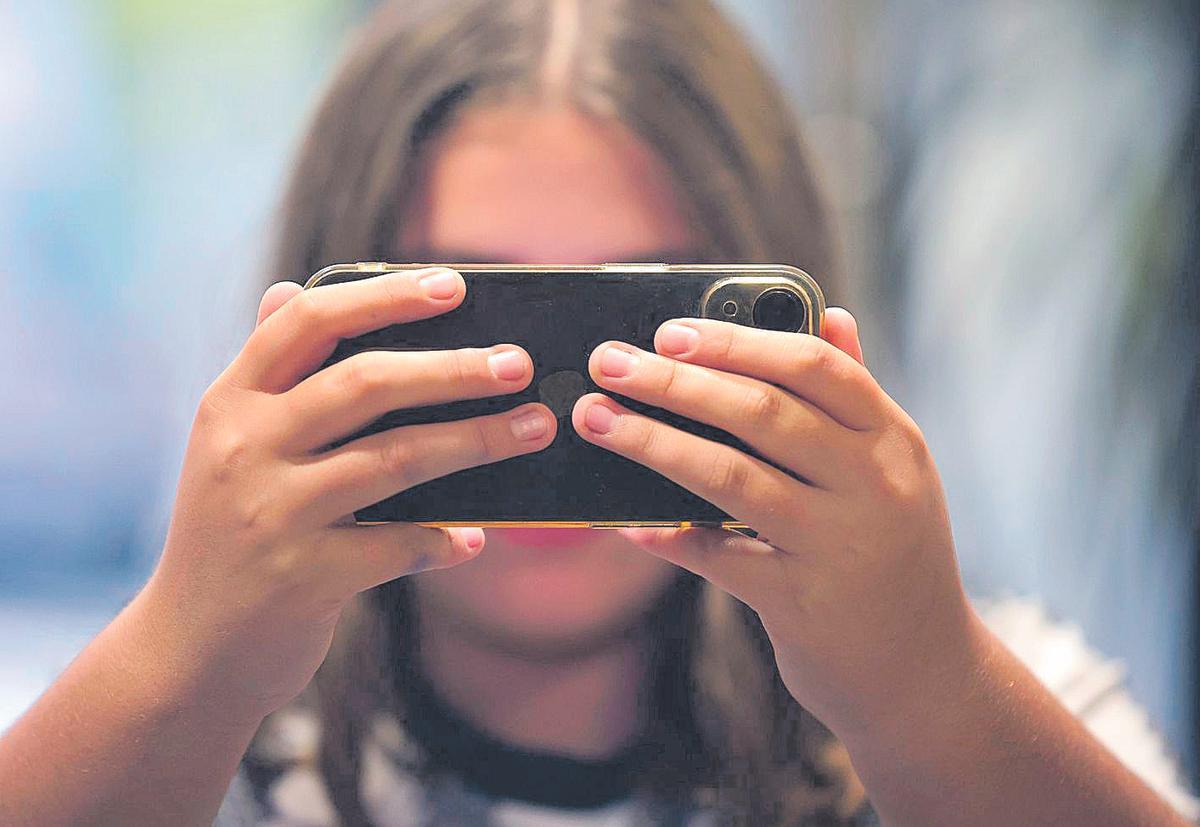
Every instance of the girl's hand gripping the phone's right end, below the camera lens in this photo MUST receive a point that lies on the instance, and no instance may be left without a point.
(855, 574)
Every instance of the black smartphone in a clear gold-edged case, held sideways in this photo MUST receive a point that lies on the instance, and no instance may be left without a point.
(560, 315)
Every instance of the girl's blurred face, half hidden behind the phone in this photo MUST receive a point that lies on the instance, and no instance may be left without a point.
(533, 185)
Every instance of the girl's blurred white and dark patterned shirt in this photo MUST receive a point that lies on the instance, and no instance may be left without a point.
(1088, 685)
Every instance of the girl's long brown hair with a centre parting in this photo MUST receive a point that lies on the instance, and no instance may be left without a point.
(683, 80)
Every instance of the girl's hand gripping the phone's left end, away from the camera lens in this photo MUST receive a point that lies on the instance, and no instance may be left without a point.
(263, 553)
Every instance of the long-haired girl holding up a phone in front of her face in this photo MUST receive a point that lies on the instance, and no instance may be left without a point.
(556, 676)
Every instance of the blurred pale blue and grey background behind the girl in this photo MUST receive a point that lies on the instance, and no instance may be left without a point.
(1016, 185)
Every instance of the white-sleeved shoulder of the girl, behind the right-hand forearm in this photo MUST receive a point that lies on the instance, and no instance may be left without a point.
(1093, 688)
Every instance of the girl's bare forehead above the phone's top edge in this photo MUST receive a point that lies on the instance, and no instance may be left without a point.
(542, 185)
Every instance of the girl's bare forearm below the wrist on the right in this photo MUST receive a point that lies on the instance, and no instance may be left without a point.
(988, 745)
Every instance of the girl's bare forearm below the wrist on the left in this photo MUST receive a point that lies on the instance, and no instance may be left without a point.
(123, 738)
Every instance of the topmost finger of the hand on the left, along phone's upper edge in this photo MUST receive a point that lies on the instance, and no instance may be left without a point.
(296, 340)
